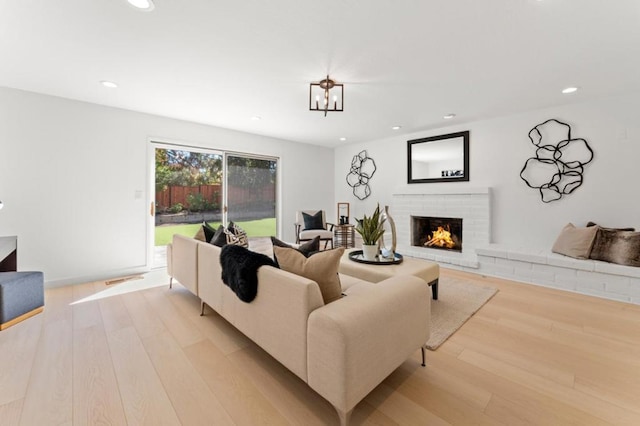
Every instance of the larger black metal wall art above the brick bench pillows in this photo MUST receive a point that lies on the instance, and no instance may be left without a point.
(558, 165)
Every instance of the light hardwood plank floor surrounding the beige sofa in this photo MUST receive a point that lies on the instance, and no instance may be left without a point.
(530, 356)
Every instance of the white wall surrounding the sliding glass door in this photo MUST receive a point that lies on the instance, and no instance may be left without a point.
(69, 172)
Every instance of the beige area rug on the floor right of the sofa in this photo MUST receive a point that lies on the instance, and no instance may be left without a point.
(457, 301)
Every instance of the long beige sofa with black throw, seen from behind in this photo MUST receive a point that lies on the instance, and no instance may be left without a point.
(342, 350)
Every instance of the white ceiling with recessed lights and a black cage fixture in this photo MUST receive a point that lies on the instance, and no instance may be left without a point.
(402, 62)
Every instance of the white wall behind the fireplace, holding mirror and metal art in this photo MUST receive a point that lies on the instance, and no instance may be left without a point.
(498, 150)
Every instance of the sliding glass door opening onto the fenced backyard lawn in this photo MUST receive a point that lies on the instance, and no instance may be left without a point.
(193, 185)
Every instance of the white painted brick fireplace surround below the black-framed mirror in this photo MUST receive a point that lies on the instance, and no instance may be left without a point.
(472, 205)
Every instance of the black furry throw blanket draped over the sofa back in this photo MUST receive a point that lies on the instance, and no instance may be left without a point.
(240, 270)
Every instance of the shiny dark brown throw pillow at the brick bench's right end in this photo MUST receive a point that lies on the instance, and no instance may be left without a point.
(621, 247)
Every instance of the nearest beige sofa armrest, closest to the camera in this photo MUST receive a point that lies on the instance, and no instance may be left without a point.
(354, 343)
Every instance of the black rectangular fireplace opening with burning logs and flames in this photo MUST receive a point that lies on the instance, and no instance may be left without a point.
(443, 233)
